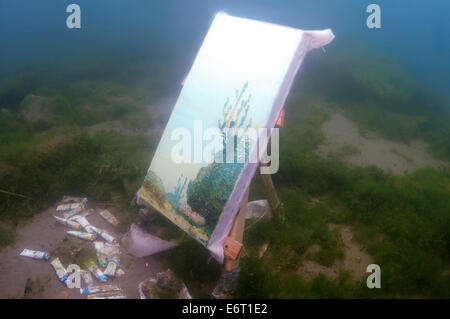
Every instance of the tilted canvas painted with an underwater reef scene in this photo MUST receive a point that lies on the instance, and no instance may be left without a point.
(235, 88)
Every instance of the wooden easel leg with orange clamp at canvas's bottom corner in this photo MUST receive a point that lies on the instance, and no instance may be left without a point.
(234, 240)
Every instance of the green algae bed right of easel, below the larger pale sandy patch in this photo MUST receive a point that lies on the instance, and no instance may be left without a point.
(403, 222)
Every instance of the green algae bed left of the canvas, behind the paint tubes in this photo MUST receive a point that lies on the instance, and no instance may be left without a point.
(72, 163)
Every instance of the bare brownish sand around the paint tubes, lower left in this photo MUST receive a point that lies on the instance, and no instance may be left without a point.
(43, 233)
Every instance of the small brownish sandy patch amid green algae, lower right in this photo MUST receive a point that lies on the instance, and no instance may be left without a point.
(355, 260)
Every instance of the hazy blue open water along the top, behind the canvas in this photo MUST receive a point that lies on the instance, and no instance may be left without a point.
(117, 33)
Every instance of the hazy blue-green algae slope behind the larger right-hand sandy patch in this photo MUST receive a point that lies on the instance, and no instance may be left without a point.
(380, 96)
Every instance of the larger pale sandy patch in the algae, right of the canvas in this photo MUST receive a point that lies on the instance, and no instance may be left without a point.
(344, 141)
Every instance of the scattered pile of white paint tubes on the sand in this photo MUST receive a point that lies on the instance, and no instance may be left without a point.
(107, 252)
